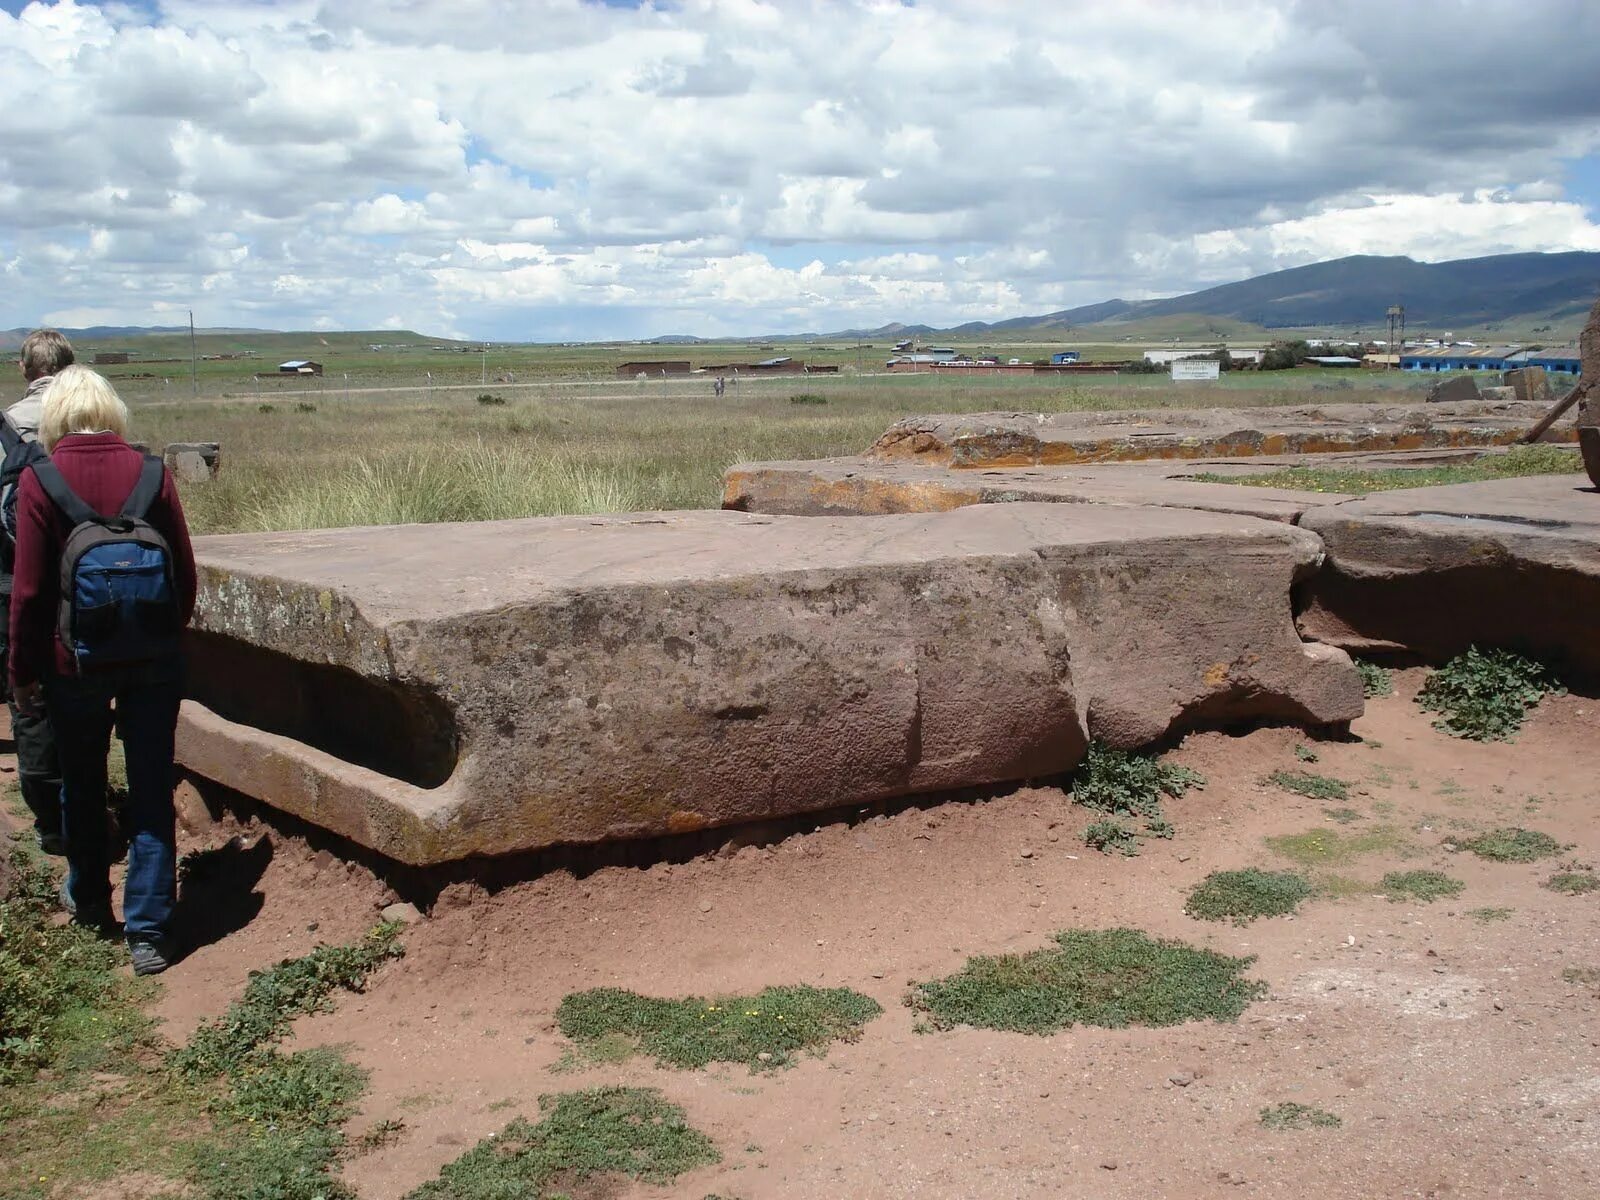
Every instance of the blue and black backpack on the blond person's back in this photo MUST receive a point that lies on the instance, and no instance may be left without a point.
(119, 606)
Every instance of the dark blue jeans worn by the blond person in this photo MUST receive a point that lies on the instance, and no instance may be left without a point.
(146, 718)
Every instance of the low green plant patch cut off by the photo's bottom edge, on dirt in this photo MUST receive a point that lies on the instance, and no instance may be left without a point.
(633, 1134)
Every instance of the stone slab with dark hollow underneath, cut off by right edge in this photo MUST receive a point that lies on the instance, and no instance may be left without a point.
(1436, 570)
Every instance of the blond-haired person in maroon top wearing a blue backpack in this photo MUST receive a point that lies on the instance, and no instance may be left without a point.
(105, 585)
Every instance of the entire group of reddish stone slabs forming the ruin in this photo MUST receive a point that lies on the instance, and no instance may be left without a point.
(967, 604)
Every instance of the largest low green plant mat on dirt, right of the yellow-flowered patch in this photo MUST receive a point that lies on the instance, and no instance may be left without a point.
(1111, 978)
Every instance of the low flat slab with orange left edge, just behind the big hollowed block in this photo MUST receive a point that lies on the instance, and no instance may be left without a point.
(866, 487)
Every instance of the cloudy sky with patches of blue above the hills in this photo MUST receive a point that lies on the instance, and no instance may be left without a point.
(569, 170)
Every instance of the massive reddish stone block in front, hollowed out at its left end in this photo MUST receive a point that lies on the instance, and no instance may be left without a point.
(442, 692)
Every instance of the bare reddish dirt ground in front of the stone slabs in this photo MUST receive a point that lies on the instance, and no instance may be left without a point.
(1457, 1057)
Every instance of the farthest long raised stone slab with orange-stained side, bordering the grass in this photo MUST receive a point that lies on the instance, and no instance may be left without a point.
(1058, 439)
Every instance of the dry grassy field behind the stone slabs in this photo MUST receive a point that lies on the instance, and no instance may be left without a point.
(398, 457)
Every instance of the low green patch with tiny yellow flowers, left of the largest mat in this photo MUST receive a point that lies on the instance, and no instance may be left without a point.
(764, 1031)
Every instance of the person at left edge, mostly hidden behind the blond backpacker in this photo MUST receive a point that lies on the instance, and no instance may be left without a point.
(39, 772)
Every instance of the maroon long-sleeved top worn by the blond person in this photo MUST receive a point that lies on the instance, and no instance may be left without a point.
(102, 470)
